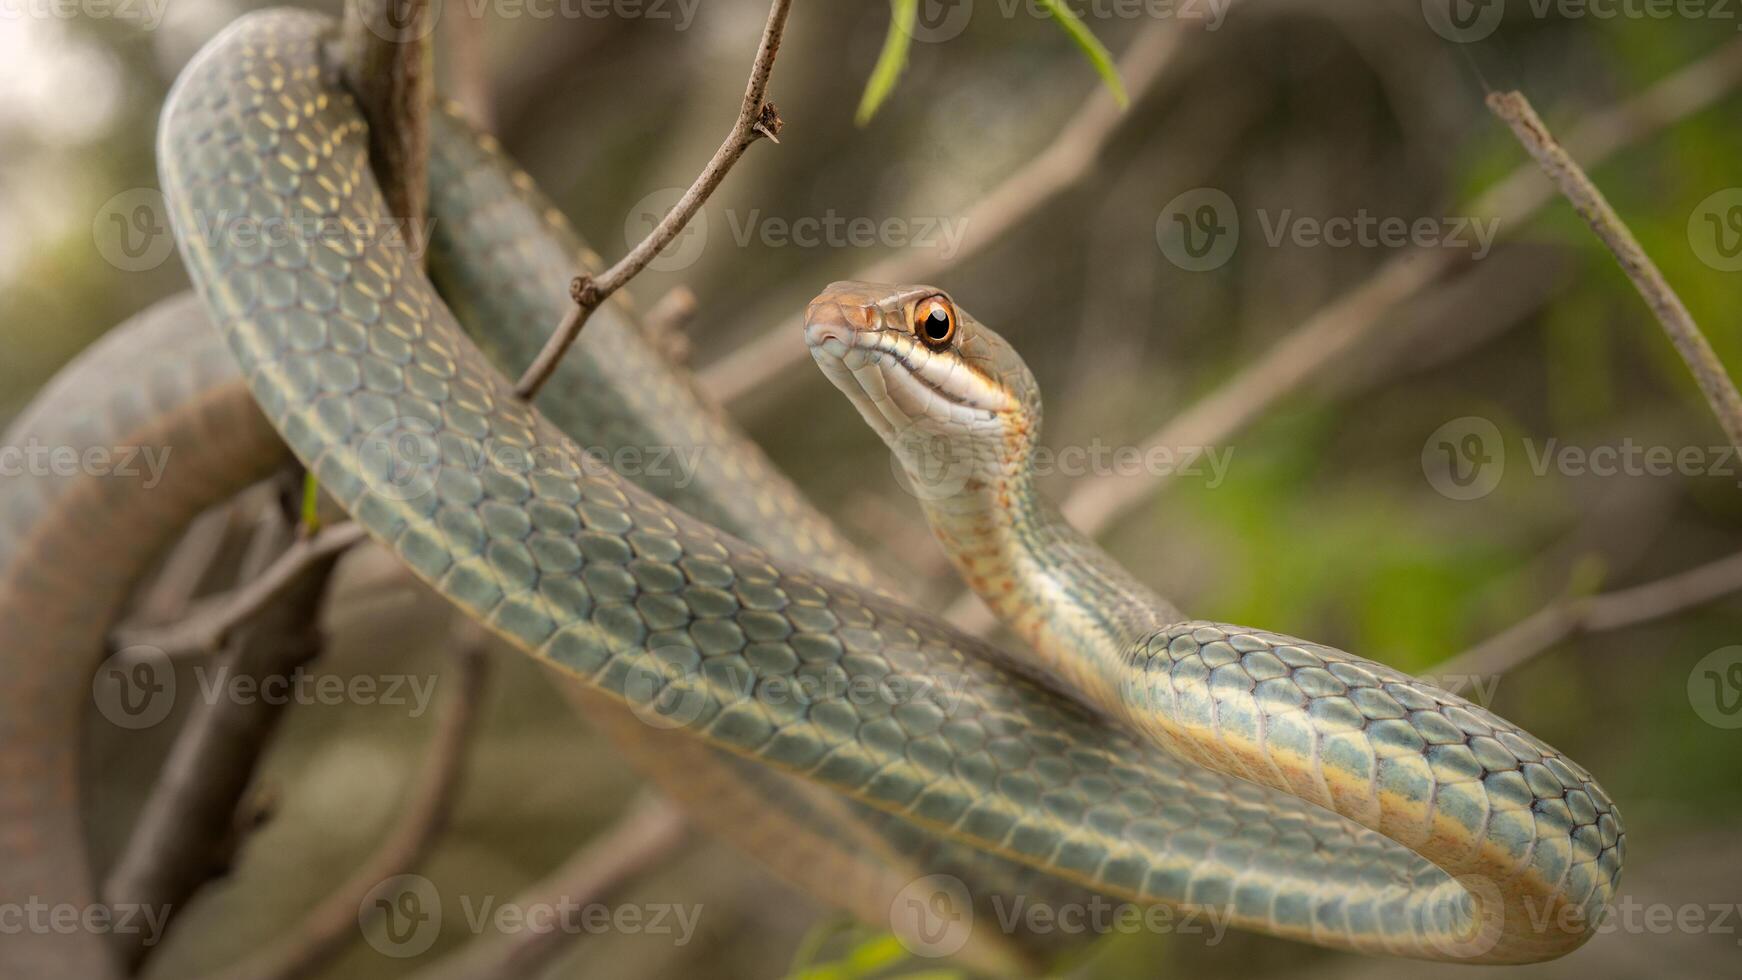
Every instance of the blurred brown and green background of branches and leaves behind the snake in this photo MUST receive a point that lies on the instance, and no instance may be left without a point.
(1405, 427)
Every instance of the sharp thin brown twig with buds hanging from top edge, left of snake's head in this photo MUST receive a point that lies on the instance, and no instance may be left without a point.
(757, 119)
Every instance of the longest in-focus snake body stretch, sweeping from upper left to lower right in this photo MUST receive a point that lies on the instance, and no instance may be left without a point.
(351, 354)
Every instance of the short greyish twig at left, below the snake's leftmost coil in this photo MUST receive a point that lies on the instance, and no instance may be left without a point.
(213, 621)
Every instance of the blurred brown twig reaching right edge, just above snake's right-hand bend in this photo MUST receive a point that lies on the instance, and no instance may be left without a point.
(1598, 614)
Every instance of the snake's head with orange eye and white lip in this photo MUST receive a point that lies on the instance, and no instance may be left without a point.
(949, 396)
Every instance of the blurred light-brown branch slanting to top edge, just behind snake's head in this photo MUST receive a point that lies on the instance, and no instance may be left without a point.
(1072, 156)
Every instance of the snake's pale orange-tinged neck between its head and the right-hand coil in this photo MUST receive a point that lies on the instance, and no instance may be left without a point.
(1069, 600)
